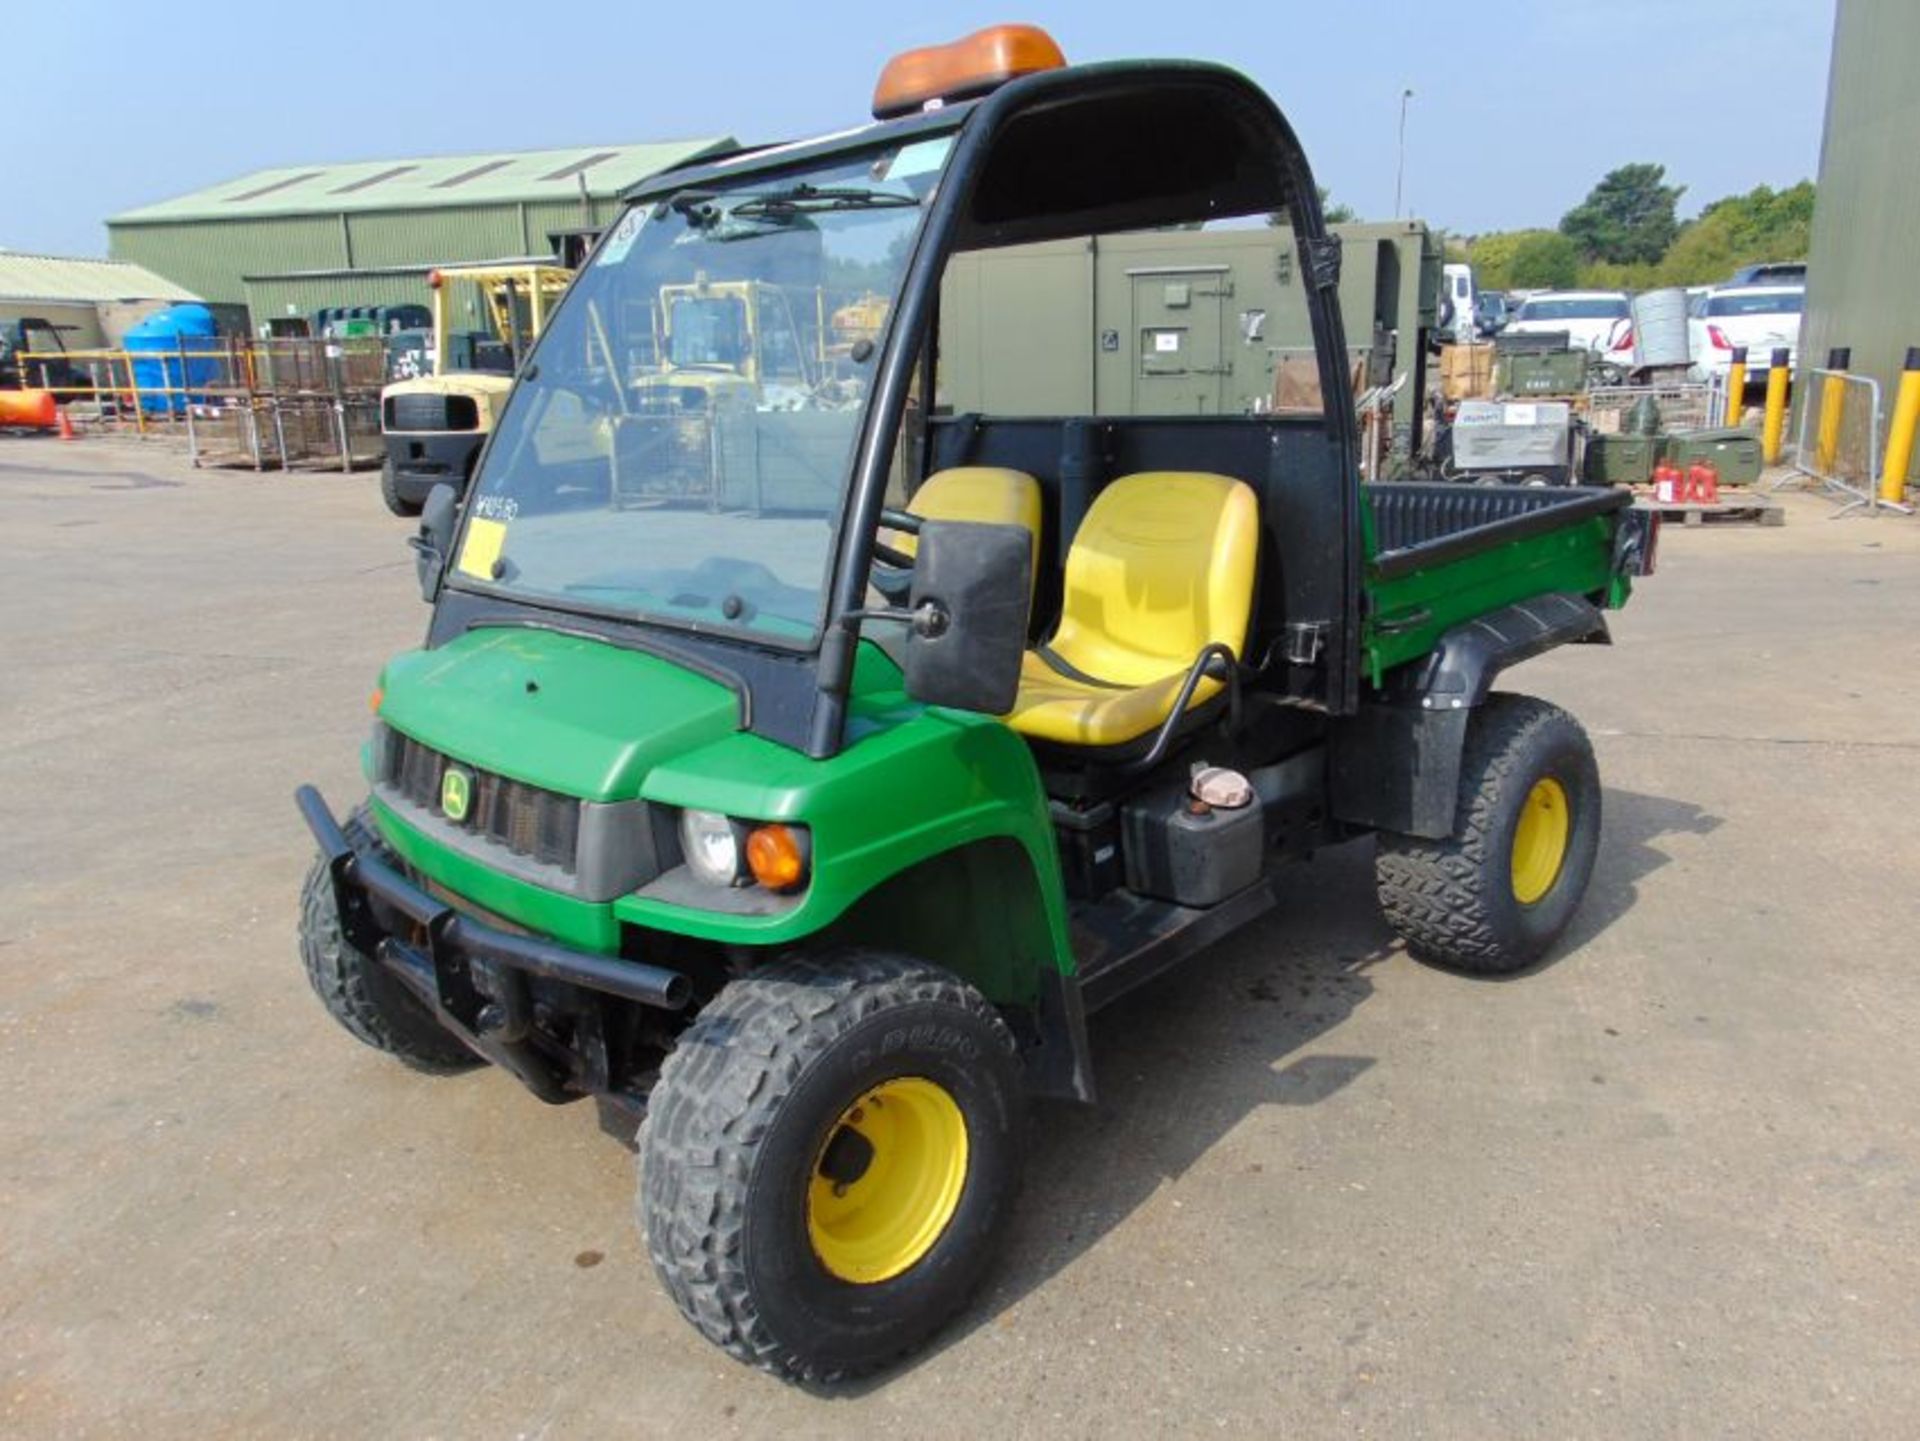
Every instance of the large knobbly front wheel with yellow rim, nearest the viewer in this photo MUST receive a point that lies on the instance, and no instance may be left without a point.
(828, 1162)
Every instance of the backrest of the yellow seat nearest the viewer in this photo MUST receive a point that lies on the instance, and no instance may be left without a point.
(1161, 567)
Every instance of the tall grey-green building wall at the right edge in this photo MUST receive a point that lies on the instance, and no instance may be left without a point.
(1861, 289)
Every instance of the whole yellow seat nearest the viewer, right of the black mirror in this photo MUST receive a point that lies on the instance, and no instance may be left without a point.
(1161, 569)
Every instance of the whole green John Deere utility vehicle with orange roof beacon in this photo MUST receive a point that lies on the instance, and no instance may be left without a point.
(813, 830)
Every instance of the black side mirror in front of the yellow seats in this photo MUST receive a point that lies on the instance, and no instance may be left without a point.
(969, 615)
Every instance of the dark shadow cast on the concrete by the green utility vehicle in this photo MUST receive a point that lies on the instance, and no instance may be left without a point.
(1188, 1058)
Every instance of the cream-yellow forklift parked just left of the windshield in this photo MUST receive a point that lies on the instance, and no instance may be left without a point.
(435, 425)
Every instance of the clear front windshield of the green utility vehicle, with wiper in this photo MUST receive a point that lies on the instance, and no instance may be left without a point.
(679, 446)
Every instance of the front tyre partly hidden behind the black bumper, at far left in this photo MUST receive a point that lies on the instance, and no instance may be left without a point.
(372, 1004)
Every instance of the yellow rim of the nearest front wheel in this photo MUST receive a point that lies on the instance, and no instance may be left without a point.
(888, 1181)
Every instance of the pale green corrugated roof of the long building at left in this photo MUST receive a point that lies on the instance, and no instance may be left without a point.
(421, 183)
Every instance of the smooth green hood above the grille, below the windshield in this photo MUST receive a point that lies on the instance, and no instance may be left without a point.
(554, 711)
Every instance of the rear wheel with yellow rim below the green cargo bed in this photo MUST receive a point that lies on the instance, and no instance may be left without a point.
(1500, 891)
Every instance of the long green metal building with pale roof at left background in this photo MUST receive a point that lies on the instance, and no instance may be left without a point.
(291, 241)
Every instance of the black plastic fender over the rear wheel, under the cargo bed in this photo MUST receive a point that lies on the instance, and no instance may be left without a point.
(1395, 765)
